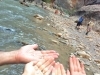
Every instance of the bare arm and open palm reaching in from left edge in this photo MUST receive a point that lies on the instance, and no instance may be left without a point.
(25, 54)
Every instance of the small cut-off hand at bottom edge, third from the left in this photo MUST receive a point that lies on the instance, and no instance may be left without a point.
(58, 69)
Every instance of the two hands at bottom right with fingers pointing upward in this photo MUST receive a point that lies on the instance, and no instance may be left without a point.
(76, 68)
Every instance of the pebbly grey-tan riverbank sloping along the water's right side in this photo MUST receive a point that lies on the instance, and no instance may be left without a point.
(87, 46)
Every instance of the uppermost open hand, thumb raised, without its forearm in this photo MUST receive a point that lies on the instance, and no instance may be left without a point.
(27, 53)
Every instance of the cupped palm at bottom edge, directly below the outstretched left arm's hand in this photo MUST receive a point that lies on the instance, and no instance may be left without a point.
(42, 67)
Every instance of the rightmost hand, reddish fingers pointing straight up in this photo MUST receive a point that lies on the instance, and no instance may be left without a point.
(76, 68)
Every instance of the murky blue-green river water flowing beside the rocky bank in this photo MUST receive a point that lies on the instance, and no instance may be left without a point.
(17, 24)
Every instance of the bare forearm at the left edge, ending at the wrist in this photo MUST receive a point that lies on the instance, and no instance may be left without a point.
(8, 57)
